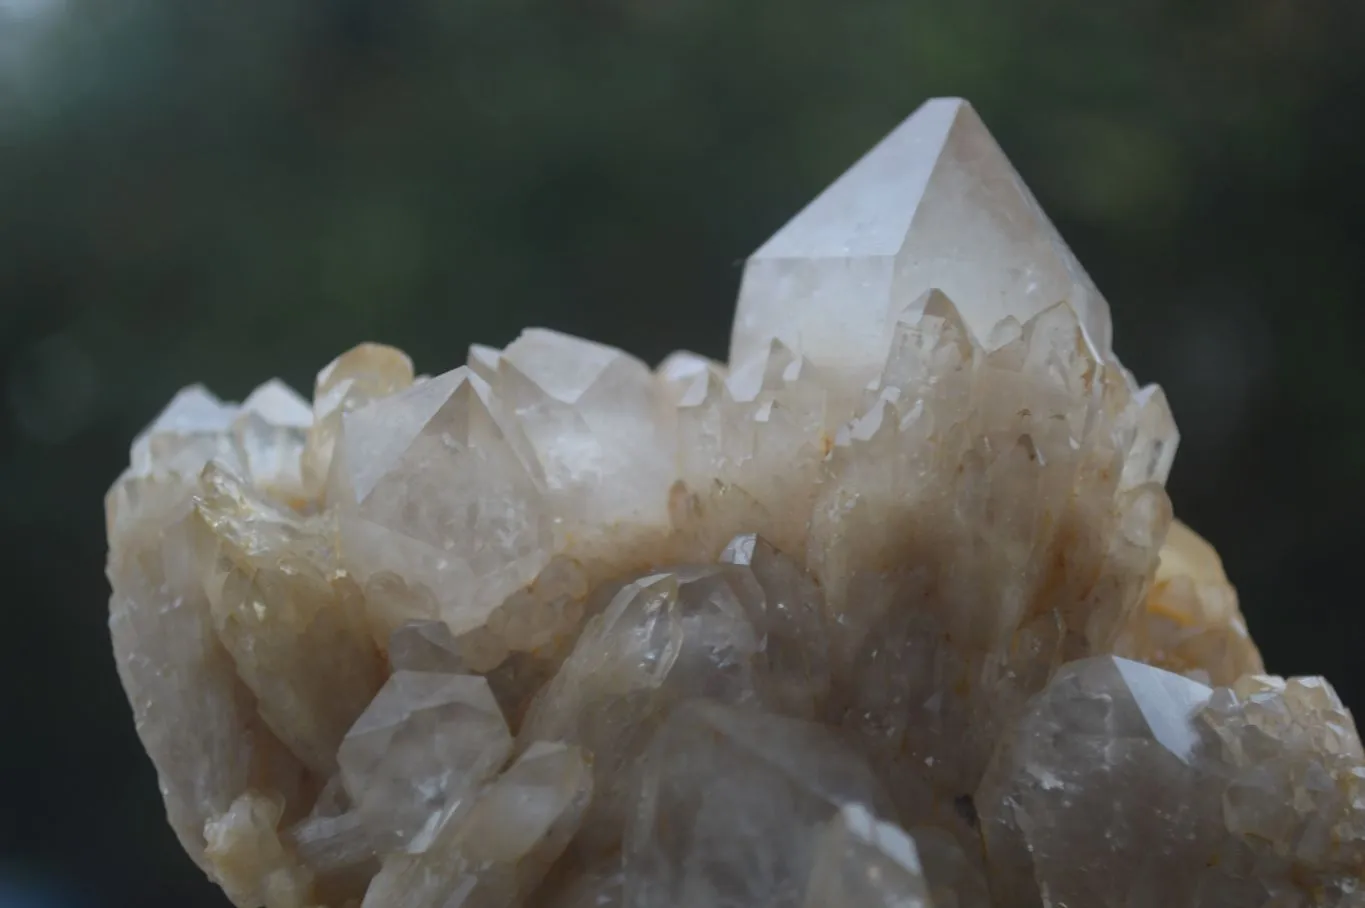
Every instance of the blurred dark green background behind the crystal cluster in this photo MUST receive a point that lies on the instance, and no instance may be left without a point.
(226, 190)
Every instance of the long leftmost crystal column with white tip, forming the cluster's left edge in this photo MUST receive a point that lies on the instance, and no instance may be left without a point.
(195, 715)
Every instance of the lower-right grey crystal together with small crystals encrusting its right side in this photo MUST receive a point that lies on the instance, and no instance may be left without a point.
(1233, 797)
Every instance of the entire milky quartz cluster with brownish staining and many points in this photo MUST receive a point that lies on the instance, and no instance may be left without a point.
(891, 611)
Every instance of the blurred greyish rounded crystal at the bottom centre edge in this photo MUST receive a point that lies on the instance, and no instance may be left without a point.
(738, 806)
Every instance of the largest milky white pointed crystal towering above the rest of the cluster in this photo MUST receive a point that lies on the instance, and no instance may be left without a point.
(934, 205)
